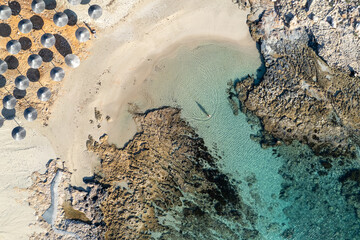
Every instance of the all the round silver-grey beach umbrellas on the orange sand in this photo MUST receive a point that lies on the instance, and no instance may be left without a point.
(48, 40)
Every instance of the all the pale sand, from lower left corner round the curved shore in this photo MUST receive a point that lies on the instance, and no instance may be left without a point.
(132, 36)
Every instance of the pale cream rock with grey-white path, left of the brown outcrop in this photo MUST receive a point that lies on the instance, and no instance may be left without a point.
(64, 211)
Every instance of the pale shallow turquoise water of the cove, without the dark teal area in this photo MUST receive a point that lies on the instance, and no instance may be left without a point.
(195, 79)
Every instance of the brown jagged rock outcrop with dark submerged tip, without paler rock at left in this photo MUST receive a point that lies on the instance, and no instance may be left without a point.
(164, 184)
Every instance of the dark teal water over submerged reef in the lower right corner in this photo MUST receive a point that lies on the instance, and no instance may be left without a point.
(321, 194)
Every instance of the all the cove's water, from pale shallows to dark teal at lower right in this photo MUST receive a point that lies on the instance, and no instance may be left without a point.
(195, 79)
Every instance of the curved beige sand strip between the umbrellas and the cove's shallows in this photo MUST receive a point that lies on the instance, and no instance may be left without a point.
(122, 56)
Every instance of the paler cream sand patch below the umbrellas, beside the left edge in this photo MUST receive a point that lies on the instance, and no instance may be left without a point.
(17, 161)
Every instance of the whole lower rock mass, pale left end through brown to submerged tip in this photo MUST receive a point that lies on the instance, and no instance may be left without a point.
(163, 184)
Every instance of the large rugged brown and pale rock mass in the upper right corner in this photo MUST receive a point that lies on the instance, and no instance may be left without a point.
(311, 89)
